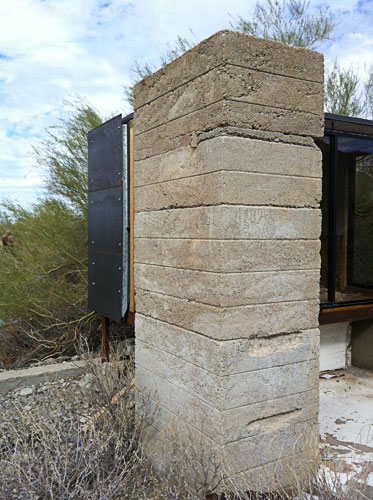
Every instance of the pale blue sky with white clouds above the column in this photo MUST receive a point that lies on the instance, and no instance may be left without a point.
(53, 50)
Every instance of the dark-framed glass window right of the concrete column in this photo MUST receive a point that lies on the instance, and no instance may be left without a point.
(347, 224)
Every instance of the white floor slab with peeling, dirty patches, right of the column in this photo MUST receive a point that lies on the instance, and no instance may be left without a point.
(346, 426)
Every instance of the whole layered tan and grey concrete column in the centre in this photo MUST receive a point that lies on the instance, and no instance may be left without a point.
(227, 227)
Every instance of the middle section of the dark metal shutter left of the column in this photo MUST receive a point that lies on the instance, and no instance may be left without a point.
(105, 221)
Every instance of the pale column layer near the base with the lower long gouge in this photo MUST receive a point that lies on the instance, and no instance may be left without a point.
(225, 426)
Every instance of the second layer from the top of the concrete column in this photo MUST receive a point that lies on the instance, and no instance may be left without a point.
(245, 85)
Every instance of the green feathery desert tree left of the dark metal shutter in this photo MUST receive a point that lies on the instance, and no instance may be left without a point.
(43, 277)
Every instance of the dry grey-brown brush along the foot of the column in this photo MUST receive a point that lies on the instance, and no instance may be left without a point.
(106, 456)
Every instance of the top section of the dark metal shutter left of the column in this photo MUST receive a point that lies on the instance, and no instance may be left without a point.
(105, 155)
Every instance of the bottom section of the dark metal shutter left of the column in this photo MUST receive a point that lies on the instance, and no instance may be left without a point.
(105, 285)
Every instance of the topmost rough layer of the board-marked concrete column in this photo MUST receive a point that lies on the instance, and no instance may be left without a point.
(236, 49)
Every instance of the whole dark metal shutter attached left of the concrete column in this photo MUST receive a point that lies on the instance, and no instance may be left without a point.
(108, 219)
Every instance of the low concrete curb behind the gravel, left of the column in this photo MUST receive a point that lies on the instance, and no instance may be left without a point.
(14, 379)
